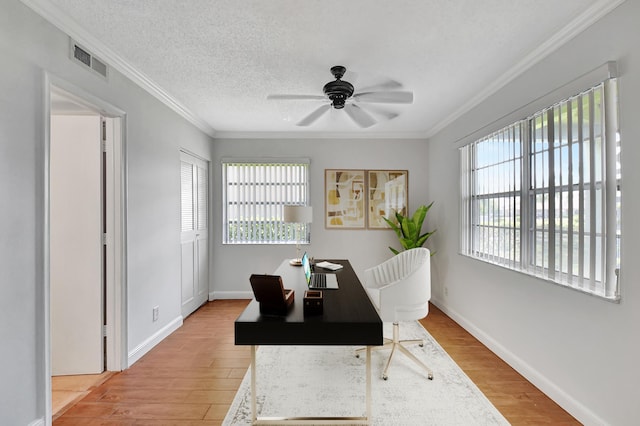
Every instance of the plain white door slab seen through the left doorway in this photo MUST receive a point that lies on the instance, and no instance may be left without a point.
(76, 245)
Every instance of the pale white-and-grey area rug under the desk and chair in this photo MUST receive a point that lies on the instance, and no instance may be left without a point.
(298, 381)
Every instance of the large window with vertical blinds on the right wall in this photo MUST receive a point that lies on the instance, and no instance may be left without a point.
(542, 195)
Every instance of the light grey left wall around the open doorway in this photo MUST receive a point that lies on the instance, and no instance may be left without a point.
(29, 47)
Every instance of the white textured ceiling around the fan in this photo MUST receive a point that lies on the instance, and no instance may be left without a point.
(217, 60)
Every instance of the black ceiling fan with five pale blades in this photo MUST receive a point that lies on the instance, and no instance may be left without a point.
(340, 94)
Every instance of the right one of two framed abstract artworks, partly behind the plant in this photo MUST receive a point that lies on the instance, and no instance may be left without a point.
(387, 193)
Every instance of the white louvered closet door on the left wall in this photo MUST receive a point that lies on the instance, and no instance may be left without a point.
(194, 188)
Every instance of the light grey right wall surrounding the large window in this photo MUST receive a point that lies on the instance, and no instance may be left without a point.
(581, 350)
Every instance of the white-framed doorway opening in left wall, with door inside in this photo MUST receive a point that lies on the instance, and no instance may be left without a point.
(86, 322)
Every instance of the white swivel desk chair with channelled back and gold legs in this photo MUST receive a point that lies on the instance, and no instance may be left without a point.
(400, 289)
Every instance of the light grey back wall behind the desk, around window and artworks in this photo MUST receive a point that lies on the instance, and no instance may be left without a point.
(233, 264)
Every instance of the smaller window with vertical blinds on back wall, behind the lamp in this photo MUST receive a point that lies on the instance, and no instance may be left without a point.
(253, 196)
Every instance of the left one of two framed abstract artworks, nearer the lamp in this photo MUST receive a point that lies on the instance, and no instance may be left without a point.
(344, 199)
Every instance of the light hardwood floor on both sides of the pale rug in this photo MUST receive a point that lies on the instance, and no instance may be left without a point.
(191, 377)
